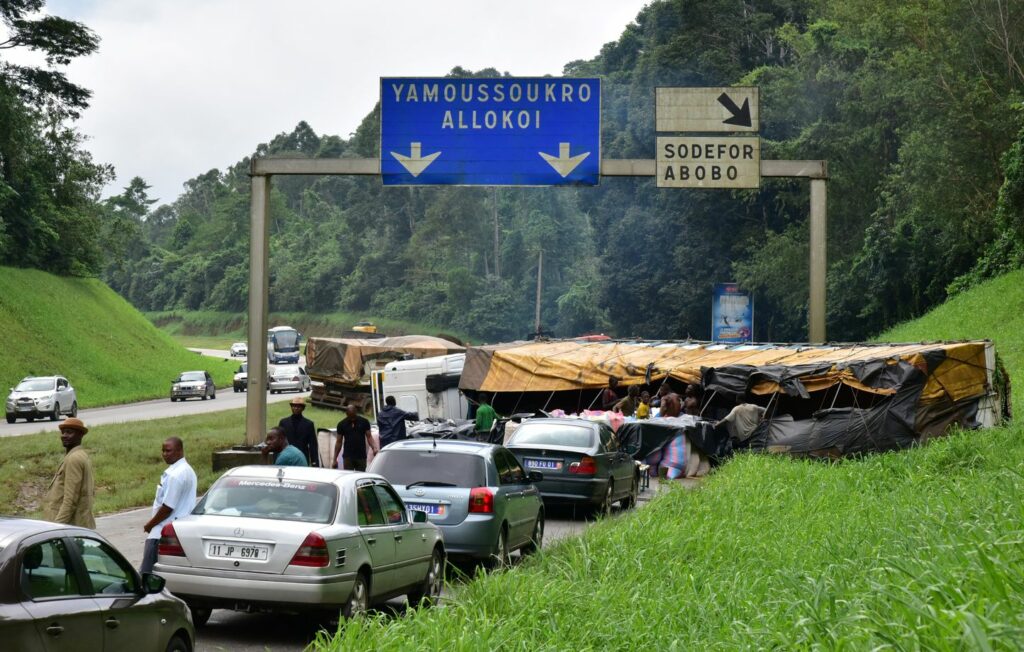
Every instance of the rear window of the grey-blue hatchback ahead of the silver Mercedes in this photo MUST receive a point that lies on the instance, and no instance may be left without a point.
(406, 467)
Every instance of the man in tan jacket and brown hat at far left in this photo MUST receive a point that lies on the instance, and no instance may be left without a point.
(72, 490)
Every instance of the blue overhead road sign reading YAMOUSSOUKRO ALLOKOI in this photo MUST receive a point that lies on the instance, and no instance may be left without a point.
(505, 132)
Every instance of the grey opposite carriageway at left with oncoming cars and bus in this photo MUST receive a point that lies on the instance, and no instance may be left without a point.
(158, 409)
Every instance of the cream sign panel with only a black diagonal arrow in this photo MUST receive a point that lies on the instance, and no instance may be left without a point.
(714, 110)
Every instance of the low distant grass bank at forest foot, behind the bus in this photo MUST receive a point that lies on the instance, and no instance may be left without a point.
(219, 330)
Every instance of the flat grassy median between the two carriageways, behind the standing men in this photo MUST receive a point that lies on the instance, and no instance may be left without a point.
(126, 457)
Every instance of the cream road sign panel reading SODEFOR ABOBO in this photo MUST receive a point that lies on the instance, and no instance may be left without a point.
(709, 162)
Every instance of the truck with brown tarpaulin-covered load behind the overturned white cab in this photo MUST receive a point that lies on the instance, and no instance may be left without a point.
(340, 368)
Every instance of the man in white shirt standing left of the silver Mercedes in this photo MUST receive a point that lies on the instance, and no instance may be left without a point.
(176, 498)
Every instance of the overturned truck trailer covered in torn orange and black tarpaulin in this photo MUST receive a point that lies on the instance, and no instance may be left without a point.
(817, 401)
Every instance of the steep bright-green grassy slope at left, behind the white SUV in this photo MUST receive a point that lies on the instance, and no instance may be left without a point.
(81, 329)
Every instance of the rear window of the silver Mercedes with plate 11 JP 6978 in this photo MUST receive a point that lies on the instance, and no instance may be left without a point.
(271, 499)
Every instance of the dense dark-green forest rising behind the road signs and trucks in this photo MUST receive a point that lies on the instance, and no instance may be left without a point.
(917, 106)
